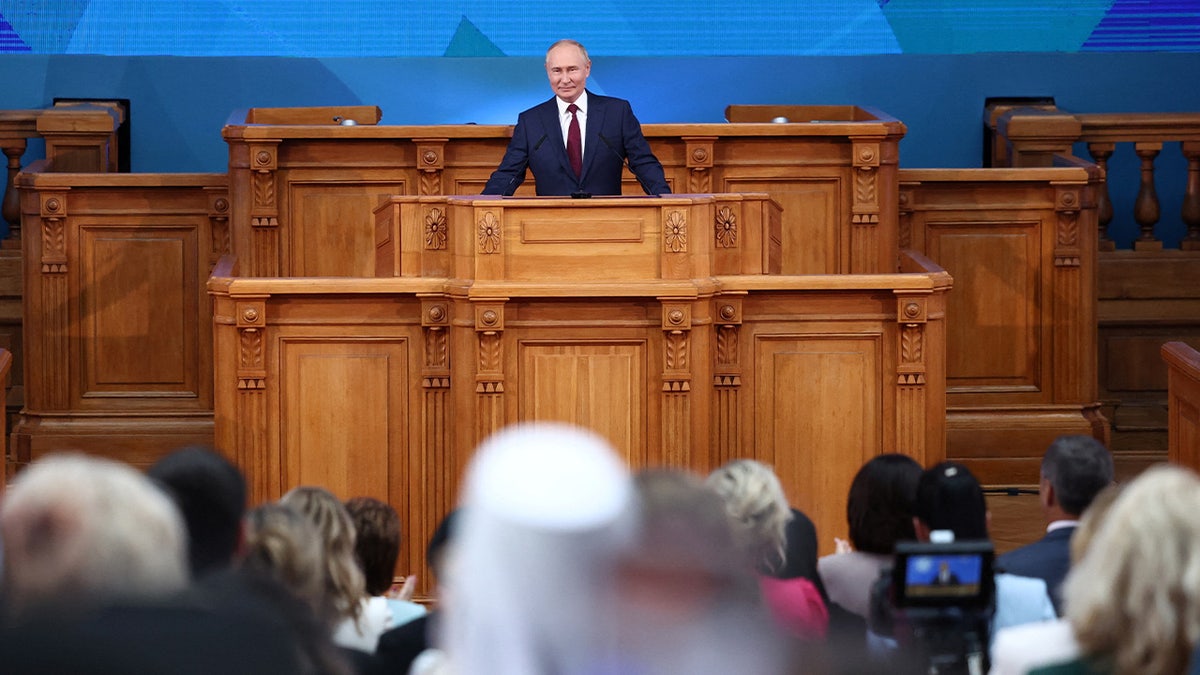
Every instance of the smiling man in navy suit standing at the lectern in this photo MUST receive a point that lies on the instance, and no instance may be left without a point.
(578, 142)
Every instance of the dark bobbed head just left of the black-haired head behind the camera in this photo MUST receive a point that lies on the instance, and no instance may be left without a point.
(880, 506)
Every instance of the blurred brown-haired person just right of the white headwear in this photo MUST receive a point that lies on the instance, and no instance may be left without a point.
(687, 600)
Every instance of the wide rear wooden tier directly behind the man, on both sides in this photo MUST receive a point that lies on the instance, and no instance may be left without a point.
(299, 190)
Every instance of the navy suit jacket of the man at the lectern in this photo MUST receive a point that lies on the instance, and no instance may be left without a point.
(613, 136)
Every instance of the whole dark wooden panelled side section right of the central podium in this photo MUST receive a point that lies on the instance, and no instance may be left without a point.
(1022, 347)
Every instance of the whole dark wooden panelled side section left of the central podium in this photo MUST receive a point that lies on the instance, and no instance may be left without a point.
(119, 355)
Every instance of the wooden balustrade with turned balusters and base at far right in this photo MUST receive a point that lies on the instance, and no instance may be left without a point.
(1147, 294)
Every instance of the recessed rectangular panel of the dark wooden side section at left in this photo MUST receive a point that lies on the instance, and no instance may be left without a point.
(140, 312)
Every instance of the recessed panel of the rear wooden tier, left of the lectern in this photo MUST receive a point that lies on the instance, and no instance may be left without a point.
(332, 229)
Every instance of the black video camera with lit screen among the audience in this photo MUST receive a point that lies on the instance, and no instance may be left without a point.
(937, 602)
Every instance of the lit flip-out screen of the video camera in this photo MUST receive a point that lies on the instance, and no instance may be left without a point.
(957, 575)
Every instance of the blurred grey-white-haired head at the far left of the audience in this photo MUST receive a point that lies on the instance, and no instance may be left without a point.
(79, 530)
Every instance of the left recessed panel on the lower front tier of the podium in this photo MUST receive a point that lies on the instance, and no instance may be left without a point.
(344, 413)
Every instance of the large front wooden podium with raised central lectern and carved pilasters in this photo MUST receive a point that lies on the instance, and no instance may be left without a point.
(658, 322)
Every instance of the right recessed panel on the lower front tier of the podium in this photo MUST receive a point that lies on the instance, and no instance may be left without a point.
(818, 413)
